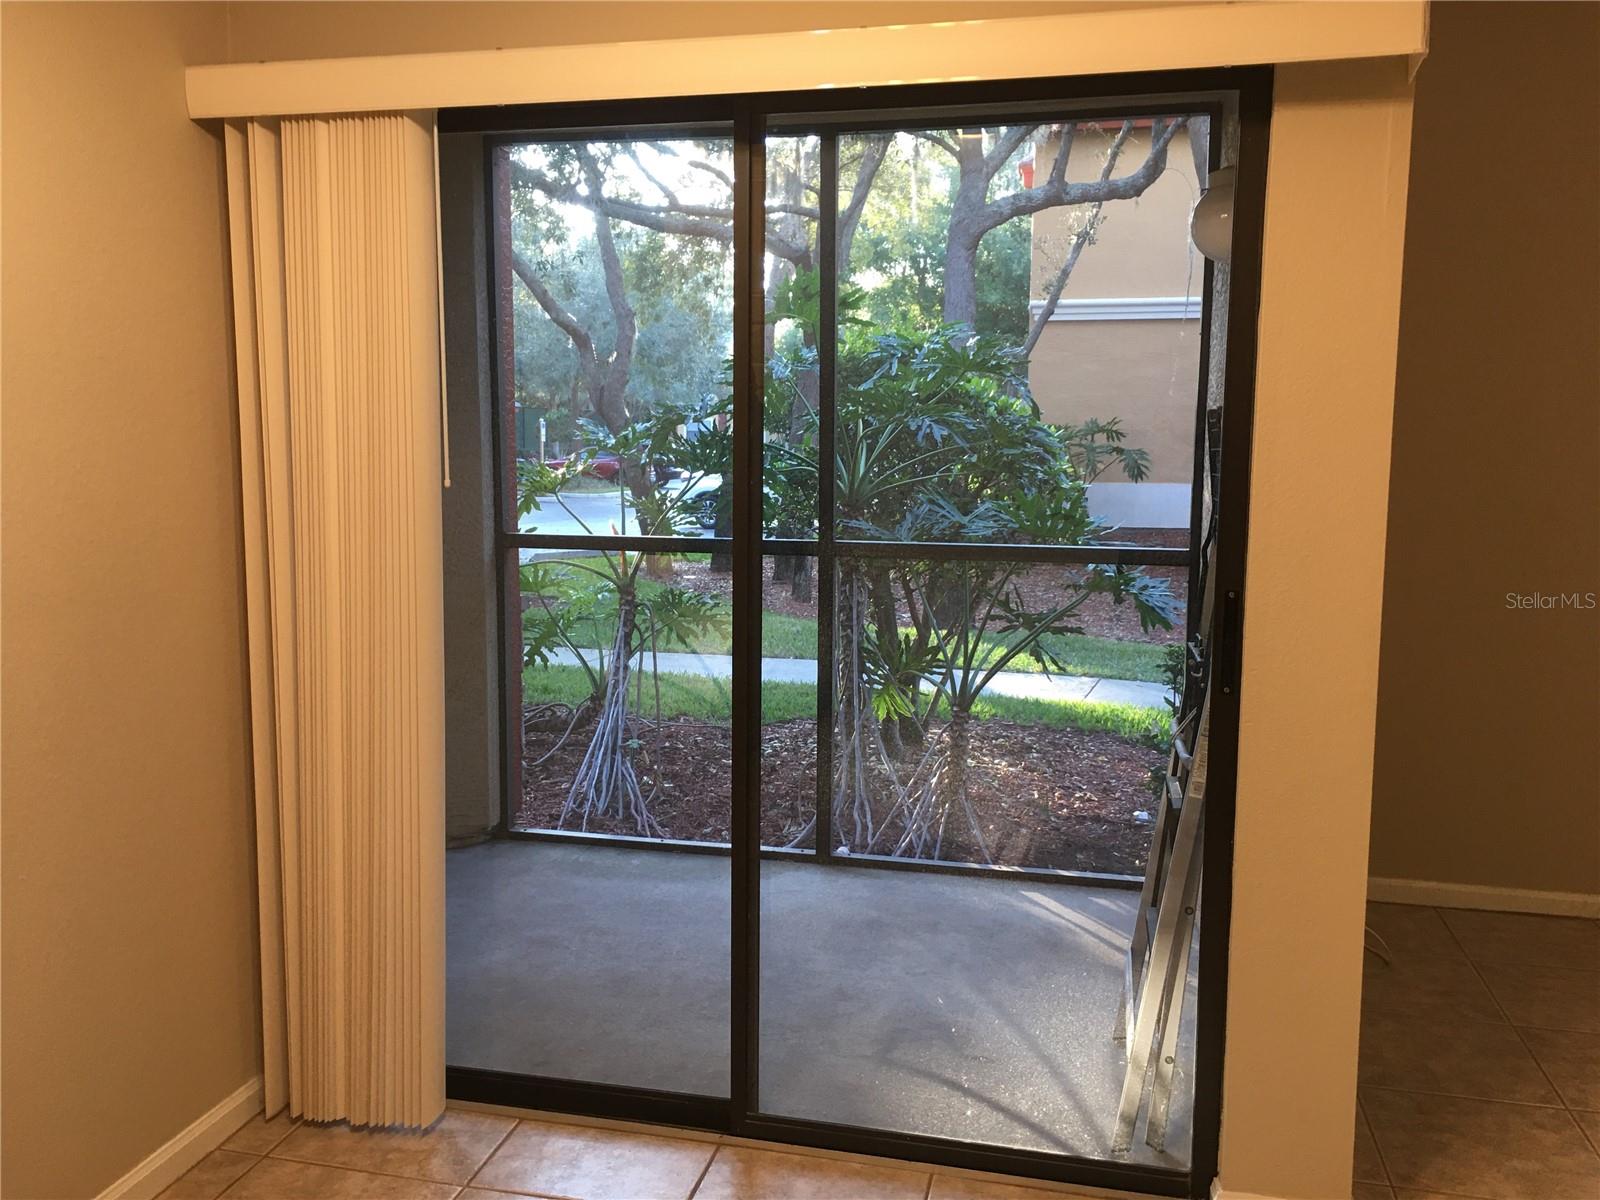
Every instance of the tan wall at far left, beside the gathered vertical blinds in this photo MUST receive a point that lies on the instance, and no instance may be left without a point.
(129, 940)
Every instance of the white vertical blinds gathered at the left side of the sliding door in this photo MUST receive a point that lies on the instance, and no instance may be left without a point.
(337, 327)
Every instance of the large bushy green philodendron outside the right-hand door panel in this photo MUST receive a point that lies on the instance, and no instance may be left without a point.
(938, 441)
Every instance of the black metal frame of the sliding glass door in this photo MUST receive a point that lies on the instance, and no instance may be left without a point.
(751, 118)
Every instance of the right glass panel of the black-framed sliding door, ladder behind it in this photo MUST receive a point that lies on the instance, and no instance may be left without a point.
(966, 458)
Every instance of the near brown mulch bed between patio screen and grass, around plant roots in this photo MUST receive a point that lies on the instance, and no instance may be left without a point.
(1044, 798)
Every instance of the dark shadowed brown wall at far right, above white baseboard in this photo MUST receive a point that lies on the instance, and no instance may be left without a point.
(1489, 716)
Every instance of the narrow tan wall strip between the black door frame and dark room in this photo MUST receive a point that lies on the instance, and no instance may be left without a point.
(1337, 185)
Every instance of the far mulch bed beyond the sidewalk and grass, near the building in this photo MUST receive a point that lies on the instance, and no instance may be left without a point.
(1041, 588)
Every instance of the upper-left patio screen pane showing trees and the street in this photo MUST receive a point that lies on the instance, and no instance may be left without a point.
(615, 263)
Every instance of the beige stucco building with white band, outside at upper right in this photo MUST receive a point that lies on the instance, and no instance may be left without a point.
(1126, 338)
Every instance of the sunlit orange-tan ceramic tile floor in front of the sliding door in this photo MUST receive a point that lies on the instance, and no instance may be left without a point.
(479, 1156)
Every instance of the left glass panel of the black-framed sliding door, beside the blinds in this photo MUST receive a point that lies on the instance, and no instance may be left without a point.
(585, 956)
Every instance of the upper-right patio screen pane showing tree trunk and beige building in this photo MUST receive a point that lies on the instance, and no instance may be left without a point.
(1020, 316)
